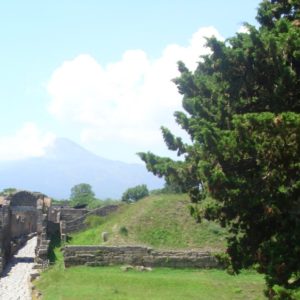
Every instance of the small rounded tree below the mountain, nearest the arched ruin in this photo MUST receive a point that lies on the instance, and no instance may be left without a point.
(82, 194)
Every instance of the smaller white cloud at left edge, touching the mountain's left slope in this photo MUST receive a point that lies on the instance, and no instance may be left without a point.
(27, 142)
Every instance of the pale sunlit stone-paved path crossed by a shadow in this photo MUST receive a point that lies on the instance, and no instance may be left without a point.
(14, 282)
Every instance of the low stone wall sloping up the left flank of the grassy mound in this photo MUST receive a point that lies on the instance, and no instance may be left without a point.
(79, 223)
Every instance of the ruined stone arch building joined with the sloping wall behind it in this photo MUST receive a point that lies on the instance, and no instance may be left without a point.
(24, 214)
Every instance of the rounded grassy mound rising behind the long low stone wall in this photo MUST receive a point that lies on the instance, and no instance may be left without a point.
(161, 221)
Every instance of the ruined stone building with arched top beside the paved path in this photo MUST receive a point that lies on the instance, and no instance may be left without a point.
(22, 215)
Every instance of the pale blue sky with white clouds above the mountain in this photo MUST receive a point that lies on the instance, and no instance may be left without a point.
(99, 72)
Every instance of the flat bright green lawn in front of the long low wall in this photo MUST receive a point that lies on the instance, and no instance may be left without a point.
(161, 284)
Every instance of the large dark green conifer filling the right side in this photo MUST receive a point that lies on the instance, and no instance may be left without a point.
(242, 112)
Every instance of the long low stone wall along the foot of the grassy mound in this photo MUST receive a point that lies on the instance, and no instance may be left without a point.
(138, 256)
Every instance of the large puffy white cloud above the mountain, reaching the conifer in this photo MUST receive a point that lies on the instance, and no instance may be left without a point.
(126, 100)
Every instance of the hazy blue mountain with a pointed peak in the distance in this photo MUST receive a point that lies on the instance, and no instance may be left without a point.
(66, 164)
